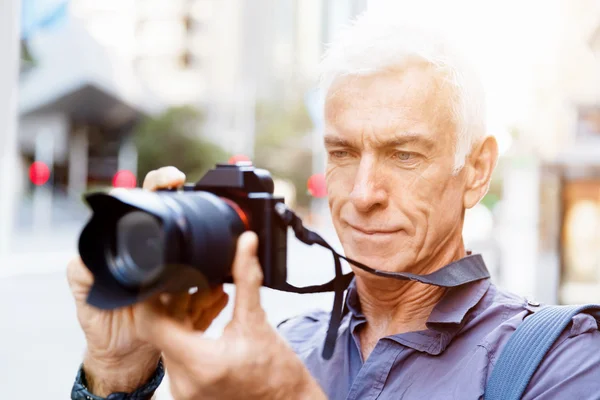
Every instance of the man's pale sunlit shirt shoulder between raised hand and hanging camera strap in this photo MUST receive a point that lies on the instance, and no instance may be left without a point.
(305, 332)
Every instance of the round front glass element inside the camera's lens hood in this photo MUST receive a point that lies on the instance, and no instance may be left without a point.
(139, 250)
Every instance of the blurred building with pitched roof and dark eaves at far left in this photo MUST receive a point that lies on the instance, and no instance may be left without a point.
(77, 108)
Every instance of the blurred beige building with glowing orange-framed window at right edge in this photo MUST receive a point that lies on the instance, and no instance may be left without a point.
(569, 173)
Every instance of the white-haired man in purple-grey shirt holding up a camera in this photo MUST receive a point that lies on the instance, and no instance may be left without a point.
(407, 155)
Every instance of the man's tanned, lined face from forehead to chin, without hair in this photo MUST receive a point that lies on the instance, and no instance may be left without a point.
(390, 142)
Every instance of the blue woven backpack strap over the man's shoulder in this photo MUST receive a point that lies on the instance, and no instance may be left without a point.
(526, 348)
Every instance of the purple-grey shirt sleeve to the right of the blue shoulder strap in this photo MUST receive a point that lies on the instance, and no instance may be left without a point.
(571, 369)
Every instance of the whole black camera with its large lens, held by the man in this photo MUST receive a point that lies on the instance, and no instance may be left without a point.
(138, 243)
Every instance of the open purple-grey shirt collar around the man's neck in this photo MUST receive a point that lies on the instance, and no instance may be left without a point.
(445, 321)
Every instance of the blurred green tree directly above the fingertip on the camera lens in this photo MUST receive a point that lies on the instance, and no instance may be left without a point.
(174, 138)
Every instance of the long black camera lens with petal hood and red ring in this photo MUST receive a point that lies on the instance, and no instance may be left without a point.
(139, 242)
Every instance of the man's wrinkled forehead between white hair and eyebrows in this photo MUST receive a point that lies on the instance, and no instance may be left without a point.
(416, 98)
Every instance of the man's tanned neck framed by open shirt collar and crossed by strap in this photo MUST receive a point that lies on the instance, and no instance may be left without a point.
(394, 306)
